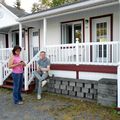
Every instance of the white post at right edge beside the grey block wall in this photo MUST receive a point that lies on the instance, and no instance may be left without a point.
(118, 86)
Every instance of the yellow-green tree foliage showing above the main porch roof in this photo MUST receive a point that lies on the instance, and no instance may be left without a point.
(45, 4)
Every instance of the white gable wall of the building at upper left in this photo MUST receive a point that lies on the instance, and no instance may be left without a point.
(6, 18)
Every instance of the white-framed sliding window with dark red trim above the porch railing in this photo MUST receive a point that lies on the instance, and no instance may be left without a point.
(72, 31)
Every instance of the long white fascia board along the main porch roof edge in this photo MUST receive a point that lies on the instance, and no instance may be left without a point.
(65, 8)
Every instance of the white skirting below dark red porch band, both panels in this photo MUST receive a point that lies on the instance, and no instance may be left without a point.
(82, 75)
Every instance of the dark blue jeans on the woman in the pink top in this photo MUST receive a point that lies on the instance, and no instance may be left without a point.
(17, 86)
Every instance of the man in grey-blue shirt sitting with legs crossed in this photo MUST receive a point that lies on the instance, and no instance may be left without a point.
(42, 72)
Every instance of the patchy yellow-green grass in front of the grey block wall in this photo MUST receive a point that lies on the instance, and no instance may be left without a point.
(66, 108)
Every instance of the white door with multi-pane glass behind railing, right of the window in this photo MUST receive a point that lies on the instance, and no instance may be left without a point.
(101, 31)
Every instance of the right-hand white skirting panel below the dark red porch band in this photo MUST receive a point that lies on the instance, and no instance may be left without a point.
(96, 76)
